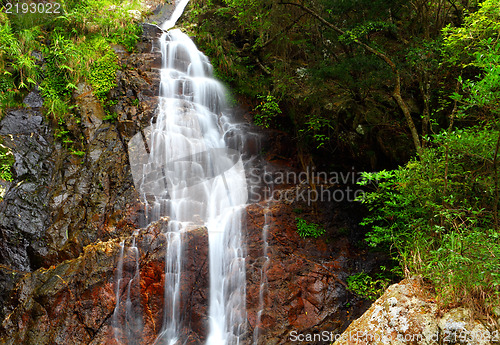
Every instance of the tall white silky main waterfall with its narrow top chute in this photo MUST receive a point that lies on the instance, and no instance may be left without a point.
(183, 169)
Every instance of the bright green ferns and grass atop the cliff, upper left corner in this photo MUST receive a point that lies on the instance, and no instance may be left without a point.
(56, 51)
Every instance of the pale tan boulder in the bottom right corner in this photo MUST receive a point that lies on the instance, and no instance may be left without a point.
(407, 314)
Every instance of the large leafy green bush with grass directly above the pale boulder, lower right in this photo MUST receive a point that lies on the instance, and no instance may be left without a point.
(437, 214)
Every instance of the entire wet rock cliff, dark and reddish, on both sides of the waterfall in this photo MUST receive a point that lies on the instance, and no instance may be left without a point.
(66, 220)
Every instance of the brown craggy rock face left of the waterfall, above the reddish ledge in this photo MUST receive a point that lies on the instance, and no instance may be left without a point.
(93, 198)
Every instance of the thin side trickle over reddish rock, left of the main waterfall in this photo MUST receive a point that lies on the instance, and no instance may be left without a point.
(126, 319)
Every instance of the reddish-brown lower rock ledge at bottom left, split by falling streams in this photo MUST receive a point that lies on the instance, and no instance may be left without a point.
(74, 302)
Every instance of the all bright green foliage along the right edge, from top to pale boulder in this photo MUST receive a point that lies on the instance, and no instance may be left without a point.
(439, 214)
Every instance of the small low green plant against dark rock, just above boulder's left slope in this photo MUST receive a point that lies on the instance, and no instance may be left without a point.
(366, 286)
